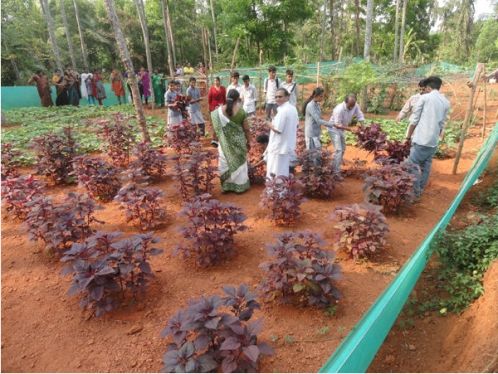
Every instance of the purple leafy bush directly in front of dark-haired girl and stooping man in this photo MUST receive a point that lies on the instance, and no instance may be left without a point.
(317, 174)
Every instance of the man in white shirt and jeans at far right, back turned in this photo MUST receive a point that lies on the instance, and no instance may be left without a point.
(426, 125)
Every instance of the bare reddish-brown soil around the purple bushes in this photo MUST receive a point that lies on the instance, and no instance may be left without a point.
(45, 330)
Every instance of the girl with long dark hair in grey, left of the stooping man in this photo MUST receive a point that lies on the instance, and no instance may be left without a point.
(313, 119)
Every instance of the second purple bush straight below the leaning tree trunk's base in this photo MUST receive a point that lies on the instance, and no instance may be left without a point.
(142, 205)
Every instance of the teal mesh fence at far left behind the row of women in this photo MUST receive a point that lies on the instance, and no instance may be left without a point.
(27, 96)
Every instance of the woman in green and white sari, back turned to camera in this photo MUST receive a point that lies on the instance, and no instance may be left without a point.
(232, 131)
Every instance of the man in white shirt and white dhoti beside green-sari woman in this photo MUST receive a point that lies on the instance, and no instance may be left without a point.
(282, 143)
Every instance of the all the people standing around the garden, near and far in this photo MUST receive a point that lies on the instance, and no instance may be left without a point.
(231, 108)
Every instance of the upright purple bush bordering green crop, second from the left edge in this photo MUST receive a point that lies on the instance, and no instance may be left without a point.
(55, 155)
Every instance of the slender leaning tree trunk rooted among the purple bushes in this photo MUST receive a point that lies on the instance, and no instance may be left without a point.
(128, 64)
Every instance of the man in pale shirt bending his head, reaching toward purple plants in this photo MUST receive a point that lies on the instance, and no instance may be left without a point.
(342, 116)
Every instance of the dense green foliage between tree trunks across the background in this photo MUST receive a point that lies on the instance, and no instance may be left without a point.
(267, 31)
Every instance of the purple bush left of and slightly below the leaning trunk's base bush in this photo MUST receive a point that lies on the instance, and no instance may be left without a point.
(100, 179)
